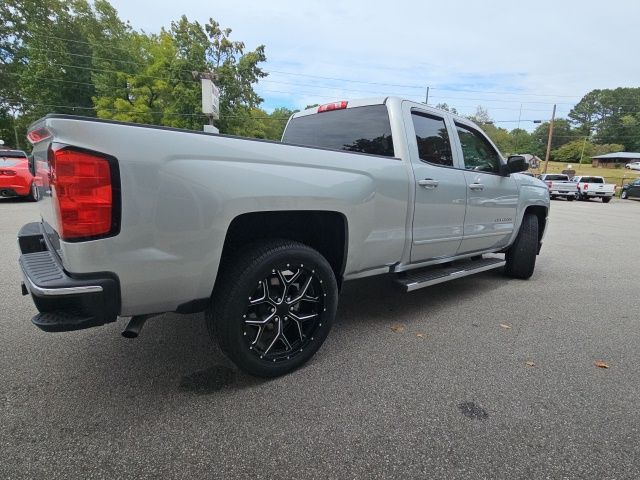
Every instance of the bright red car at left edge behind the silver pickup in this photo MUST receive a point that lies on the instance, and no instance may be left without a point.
(15, 178)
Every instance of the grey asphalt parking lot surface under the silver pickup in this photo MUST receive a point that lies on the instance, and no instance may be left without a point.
(458, 402)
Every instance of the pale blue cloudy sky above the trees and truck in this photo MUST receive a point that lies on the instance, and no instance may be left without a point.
(515, 59)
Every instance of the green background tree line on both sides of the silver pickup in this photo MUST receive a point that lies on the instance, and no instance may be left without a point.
(78, 57)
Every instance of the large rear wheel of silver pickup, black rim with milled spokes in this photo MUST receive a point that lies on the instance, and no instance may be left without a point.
(273, 306)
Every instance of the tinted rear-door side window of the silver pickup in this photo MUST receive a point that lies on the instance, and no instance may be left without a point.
(433, 139)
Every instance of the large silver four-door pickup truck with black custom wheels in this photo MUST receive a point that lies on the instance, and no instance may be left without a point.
(139, 220)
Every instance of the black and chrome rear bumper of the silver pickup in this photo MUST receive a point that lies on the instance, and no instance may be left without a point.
(65, 302)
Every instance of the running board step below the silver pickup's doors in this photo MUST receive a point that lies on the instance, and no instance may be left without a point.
(413, 280)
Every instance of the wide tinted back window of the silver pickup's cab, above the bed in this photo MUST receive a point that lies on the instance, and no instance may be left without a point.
(360, 129)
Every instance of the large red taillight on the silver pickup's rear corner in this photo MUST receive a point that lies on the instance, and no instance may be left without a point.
(82, 190)
